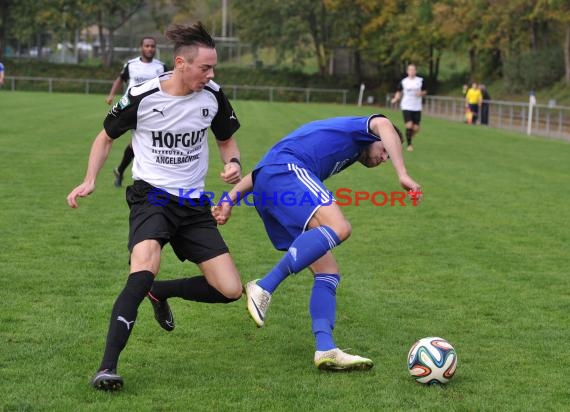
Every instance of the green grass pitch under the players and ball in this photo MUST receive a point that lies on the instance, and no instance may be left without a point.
(483, 262)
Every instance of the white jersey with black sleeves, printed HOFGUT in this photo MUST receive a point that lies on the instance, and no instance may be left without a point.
(170, 133)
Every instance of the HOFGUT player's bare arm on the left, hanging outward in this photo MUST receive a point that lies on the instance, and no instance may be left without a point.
(99, 151)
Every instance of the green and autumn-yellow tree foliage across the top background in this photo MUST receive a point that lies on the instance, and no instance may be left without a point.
(379, 37)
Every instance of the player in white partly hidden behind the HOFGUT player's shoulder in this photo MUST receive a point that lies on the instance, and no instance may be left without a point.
(135, 71)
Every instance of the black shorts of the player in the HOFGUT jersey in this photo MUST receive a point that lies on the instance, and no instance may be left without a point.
(190, 228)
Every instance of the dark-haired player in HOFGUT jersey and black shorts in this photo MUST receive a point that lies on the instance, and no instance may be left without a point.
(170, 116)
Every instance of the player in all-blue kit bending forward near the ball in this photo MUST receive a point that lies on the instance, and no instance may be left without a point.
(309, 229)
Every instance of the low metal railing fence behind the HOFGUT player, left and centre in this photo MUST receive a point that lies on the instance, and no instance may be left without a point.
(235, 92)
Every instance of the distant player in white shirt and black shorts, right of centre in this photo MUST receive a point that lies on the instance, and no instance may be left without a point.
(411, 90)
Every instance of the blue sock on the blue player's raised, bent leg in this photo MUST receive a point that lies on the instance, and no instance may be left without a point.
(306, 249)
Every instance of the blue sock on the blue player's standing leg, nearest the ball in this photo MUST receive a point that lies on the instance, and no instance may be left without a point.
(322, 307)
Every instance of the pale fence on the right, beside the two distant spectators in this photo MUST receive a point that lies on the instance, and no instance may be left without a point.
(547, 120)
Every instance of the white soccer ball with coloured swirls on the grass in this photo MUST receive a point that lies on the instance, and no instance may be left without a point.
(432, 361)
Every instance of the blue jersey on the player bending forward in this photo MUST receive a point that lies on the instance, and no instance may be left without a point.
(324, 147)
